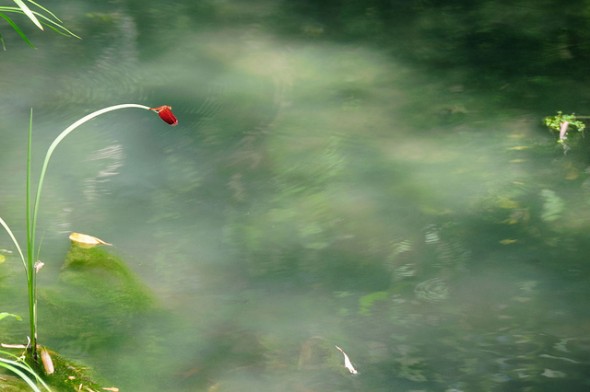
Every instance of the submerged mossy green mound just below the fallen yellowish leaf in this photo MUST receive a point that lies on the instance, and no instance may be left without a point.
(98, 305)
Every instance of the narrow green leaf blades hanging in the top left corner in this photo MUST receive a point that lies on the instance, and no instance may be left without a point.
(39, 15)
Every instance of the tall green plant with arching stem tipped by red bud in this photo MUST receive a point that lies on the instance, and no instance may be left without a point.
(31, 262)
